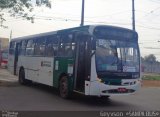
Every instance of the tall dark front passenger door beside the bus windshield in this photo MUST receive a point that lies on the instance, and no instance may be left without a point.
(82, 61)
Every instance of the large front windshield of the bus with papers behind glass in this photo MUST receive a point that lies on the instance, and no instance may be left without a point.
(117, 56)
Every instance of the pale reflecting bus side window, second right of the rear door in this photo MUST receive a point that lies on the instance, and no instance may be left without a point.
(30, 47)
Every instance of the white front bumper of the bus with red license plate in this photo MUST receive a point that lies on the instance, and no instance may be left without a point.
(97, 88)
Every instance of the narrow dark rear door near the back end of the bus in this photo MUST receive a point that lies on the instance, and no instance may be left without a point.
(16, 58)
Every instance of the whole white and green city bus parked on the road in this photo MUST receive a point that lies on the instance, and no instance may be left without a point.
(94, 60)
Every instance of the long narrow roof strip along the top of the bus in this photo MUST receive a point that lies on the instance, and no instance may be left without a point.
(69, 30)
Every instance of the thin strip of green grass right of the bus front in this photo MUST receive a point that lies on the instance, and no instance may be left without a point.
(151, 77)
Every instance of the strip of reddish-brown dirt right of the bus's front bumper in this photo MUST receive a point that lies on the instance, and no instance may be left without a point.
(151, 83)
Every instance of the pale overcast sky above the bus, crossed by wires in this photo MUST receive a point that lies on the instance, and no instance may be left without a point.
(67, 14)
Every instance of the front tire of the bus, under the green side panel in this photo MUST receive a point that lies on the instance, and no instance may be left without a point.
(64, 87)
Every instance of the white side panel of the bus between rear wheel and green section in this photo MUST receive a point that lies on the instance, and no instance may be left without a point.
(38, 69)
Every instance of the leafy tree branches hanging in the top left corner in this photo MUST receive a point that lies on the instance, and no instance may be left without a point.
(20, 8)
